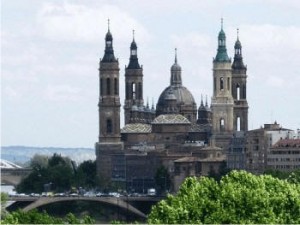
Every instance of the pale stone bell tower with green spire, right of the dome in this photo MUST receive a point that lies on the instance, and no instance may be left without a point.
(222, 101)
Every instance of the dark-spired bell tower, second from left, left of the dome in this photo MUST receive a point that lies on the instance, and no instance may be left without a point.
(133, 83)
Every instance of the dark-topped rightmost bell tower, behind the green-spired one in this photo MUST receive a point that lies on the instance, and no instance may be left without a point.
(239, 88)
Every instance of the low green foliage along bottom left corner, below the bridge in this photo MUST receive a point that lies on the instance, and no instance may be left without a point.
(35, 217)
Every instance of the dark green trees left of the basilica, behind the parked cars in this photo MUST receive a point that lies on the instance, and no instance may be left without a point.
(57, 174)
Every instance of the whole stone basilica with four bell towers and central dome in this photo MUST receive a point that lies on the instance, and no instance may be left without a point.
(176, 135)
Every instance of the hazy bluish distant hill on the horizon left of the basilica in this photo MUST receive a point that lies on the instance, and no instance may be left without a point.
(22, 154)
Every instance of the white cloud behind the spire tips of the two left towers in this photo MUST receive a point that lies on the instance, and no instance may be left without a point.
(80, 23)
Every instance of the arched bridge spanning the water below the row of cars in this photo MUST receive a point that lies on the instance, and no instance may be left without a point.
(124, 202)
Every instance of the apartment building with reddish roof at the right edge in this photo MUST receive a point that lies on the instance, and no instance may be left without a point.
(284, 155)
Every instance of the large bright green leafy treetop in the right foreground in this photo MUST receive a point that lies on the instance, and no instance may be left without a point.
(239, 198)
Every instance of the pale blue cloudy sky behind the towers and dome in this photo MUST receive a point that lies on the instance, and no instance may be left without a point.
(50, 52)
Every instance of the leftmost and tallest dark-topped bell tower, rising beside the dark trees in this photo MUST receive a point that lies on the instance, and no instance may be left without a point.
(109, 143)
